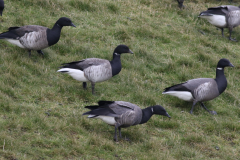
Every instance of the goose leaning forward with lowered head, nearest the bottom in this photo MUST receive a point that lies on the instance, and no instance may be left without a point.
(123, 114)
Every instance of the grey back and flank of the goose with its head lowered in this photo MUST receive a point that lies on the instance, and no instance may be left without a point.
(130, 114)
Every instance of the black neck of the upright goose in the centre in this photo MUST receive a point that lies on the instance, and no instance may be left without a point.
(116, 64)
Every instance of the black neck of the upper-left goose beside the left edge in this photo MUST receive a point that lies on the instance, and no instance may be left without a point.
(53, 35)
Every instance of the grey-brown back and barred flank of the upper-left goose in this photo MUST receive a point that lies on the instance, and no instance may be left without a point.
(33, 36)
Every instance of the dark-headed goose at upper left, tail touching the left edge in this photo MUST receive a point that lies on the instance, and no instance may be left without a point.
(33, 37)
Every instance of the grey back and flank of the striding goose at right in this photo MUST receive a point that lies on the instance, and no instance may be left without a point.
(203, 89)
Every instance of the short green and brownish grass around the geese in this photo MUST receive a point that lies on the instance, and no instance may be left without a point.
(41, 110)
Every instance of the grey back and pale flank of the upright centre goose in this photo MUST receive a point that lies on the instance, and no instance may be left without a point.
(95, 69)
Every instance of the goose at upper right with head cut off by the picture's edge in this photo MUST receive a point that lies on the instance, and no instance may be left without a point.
(225, 16)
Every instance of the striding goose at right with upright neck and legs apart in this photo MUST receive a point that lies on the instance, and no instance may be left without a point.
(202, 89)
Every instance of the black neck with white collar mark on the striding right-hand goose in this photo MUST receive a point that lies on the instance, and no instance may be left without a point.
(221, 80)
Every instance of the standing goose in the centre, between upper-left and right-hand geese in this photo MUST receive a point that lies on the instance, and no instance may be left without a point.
(95, 69)
